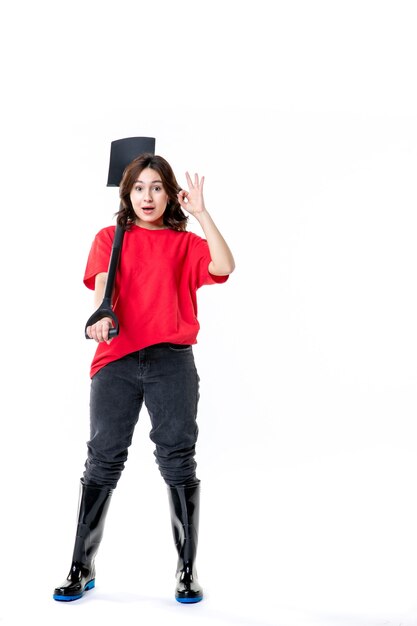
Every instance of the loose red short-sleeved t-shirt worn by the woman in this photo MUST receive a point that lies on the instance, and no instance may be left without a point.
(155, 289)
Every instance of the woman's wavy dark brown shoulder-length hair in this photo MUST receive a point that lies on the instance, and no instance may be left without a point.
(173, 217)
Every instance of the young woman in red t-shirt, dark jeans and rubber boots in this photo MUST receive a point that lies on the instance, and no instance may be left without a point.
(151, 360)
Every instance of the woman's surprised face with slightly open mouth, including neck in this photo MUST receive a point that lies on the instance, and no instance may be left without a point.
(149, 199)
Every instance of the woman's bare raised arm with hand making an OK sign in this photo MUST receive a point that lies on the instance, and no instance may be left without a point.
(222, 262)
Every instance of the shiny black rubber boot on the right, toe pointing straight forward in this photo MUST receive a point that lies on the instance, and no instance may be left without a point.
(185, 510)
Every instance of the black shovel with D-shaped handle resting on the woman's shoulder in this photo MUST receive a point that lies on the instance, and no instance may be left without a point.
(122, 152)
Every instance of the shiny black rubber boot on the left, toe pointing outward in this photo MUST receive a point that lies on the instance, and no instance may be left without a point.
(93, 506)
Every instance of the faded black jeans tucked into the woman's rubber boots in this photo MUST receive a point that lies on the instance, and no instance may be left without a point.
(163, 376)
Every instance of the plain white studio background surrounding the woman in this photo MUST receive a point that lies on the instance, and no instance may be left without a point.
(302, 117)
